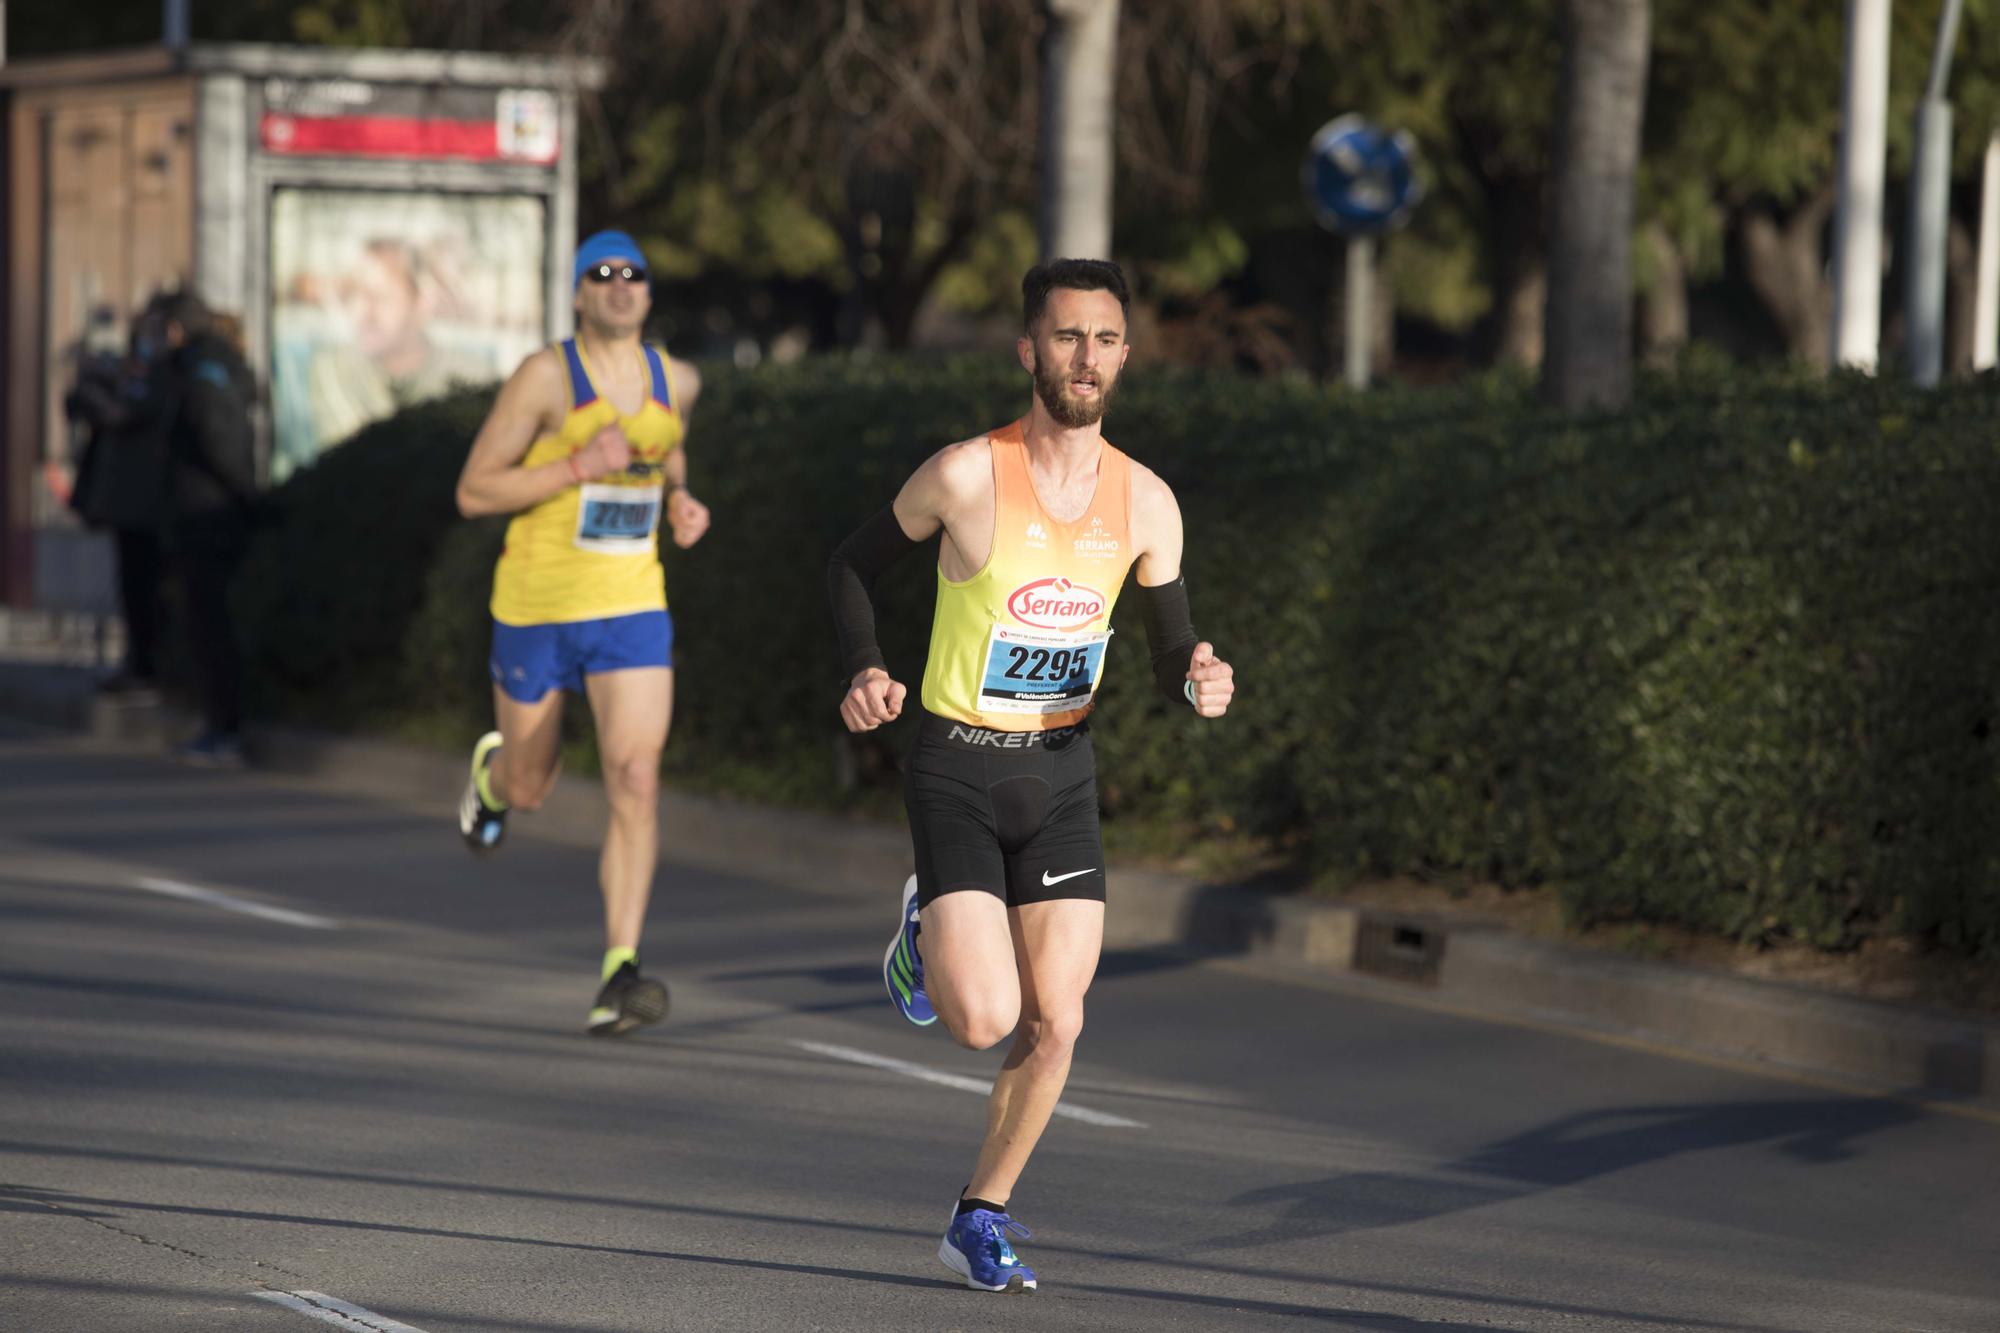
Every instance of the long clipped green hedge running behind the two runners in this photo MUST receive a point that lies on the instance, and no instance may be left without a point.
(1723, 661)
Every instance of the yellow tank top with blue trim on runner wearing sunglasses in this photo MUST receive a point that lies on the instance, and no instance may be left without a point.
(593, 551)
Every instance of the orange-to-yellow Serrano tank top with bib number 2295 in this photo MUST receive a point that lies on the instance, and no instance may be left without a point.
(1021, 645)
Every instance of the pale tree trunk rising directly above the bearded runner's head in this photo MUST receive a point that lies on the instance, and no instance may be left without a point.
(1079, 81)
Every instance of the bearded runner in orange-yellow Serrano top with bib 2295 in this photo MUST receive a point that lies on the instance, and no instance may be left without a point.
(1001, 926)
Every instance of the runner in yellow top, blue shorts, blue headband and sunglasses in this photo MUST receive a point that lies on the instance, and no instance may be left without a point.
(585, 447)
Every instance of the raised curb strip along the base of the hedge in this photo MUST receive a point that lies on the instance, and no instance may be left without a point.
(1881, 1048)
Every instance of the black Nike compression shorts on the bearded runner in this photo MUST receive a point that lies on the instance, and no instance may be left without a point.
(1011, 814)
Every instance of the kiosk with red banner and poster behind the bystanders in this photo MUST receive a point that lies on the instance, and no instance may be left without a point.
(379, 225)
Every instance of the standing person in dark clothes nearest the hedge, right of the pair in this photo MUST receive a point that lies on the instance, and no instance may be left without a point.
(203, 391)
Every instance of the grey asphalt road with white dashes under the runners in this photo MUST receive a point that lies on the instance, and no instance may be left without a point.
(379, 1094)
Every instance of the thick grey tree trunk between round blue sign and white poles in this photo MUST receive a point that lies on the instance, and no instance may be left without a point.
(1589, 343)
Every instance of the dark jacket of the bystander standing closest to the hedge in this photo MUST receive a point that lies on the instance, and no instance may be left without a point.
(211, 445)
